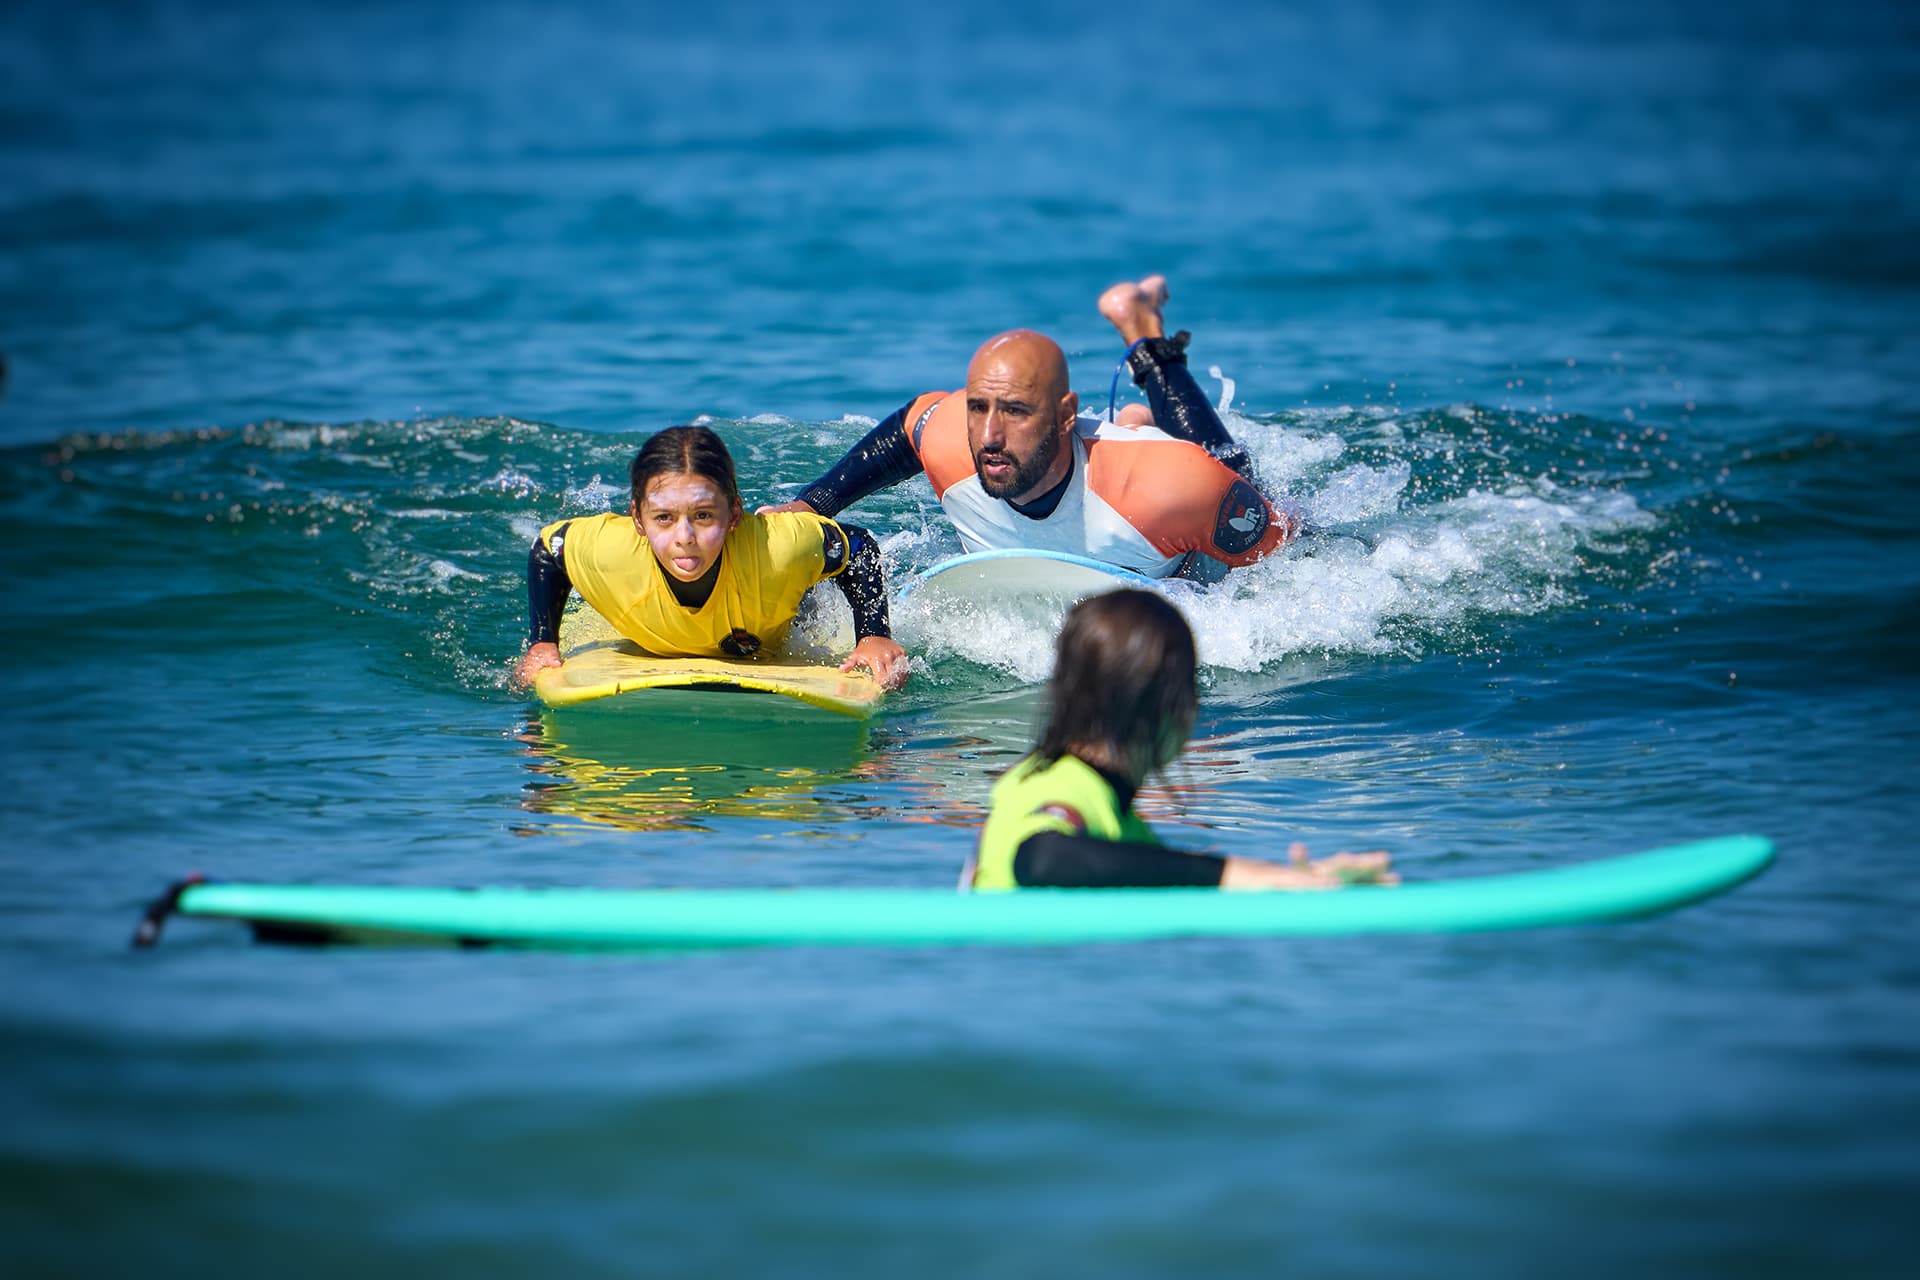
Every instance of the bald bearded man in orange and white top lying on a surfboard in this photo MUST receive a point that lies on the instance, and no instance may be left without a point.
(1017, 465)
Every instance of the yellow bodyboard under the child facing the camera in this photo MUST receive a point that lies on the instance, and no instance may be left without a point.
(598, 663)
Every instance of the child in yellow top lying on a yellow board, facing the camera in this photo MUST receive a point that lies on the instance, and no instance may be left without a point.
(684, 573)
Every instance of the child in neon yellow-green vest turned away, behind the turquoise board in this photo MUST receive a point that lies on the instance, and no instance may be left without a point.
(1122, 701)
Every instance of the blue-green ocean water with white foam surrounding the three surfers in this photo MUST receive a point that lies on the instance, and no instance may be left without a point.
(1585, 335)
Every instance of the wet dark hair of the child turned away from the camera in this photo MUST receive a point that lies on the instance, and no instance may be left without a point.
(1124, 682)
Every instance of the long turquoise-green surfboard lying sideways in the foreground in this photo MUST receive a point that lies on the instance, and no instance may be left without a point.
(1620, 888)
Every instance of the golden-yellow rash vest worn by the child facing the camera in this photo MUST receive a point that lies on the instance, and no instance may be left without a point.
(767, 565)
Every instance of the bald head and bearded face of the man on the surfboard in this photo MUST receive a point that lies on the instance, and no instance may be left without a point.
(1017, 425)
